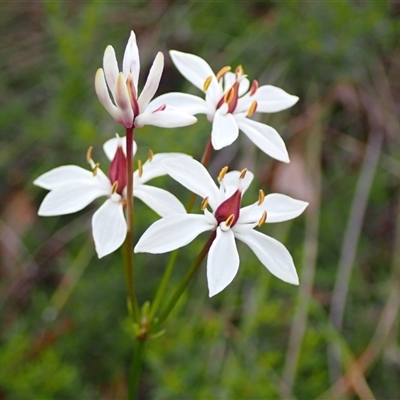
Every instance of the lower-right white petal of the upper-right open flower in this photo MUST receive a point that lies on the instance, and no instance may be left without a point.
(265, 137)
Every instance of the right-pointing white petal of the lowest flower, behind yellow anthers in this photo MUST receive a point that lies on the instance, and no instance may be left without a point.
(278, 207)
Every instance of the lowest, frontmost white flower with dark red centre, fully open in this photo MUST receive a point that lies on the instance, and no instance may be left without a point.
(229, 222)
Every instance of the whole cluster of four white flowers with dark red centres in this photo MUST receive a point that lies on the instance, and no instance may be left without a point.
(231, 100)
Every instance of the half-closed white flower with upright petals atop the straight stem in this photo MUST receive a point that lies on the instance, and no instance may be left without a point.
(126, 107)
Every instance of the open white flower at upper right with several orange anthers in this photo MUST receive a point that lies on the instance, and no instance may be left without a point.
(229, 101)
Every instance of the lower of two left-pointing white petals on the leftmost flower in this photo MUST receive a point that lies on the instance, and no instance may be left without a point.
(70, 198)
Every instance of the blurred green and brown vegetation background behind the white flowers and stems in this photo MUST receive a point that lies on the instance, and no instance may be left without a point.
(64, 331)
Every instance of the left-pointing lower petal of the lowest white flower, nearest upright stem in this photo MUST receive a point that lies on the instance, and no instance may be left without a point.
(172, 232)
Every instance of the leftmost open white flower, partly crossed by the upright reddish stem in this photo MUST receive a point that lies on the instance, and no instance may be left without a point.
(72, 188)
